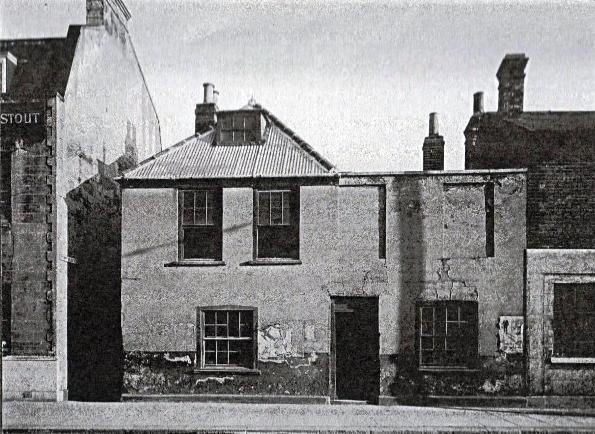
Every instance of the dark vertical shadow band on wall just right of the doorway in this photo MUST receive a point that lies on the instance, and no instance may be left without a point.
(408, 385)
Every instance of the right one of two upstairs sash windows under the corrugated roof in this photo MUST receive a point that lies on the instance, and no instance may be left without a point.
(277, 224)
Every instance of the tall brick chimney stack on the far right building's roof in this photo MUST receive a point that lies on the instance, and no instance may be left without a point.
(511, 77)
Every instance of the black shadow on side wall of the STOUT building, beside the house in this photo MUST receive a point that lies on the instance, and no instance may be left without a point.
(95, 353)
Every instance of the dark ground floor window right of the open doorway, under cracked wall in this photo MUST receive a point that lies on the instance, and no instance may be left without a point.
(447, 334)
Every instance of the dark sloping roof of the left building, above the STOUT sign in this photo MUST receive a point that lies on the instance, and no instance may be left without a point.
(43, 65)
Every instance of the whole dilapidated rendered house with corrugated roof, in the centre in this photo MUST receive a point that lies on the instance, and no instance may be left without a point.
(251, 266)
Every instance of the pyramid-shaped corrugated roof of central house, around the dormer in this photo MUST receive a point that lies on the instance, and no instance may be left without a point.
(280, 154)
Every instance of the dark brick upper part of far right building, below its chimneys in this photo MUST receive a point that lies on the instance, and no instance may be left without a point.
(561, 176)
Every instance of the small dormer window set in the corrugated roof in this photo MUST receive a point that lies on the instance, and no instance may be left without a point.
(239, 126)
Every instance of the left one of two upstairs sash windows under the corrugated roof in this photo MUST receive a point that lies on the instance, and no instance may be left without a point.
(200, 225)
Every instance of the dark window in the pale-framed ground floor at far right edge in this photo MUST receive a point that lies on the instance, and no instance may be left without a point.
(574, 319)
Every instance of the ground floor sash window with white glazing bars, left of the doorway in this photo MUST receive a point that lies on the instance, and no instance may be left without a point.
(227, 337)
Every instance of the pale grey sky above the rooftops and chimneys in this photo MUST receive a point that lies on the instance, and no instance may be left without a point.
(356, 80)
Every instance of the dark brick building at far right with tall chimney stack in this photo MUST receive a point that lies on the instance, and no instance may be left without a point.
(558, 149)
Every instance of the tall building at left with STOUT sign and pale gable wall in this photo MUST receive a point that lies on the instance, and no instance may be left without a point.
(74, 112)
